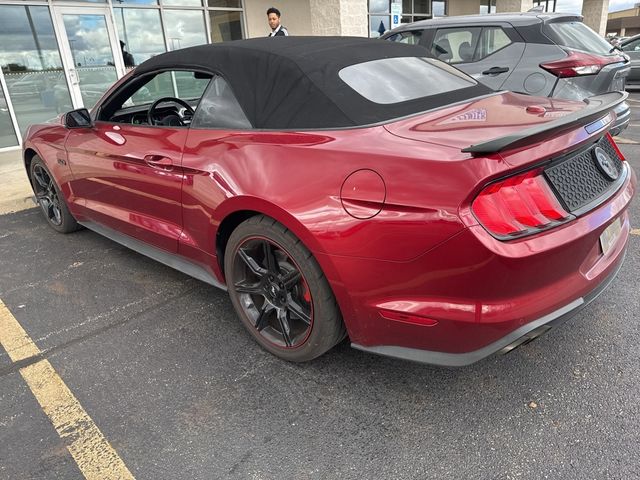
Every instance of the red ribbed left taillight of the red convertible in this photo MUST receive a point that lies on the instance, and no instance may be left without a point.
(520, 205)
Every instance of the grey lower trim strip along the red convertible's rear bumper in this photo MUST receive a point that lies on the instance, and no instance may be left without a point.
(506, 344)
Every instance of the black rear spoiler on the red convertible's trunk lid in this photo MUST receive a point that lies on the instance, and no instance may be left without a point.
(596, 107)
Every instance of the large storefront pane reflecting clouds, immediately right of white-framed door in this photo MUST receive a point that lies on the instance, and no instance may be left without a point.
(141, 31)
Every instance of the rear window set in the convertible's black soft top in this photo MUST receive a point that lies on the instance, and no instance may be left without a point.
(394, 80)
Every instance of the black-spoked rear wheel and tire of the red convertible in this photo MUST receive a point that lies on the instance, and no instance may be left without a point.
(279, 291)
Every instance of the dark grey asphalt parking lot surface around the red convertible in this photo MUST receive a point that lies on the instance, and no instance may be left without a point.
(160, 365)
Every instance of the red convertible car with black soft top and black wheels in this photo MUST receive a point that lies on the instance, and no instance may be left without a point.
(339, 187)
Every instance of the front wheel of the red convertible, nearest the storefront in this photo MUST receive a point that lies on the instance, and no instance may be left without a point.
(50, 199)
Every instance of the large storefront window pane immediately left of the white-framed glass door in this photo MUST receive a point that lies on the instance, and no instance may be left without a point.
(31, 63)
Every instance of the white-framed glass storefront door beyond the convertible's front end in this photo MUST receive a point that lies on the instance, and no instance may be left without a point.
(90, 51)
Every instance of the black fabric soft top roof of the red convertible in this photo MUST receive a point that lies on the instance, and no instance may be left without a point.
(293, 83)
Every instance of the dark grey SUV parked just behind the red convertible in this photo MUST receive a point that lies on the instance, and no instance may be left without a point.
(546, 54)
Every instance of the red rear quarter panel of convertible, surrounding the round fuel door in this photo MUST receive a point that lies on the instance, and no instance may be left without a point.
(297, 179)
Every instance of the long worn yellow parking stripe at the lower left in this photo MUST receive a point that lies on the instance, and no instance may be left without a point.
(95, 457)
